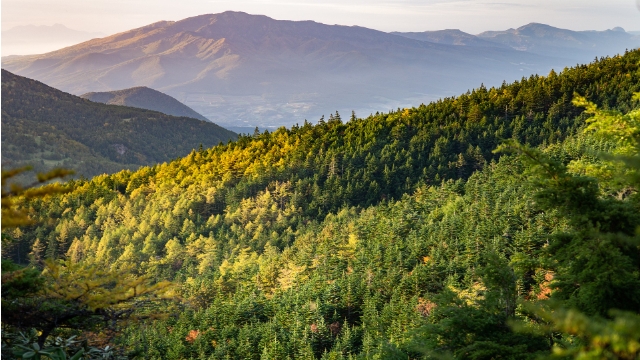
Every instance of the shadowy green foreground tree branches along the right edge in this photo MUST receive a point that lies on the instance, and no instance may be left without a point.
(596, 264)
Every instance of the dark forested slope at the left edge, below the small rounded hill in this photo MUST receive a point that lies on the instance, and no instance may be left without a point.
(47, 128)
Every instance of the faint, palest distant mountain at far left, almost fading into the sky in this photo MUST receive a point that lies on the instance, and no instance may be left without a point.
(32, 39)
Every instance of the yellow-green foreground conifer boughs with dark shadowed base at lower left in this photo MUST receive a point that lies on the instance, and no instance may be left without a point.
(80, 296)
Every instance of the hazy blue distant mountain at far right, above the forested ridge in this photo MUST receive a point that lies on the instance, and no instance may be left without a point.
(581, 46)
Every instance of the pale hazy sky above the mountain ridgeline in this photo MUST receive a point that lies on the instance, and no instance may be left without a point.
(474, 16)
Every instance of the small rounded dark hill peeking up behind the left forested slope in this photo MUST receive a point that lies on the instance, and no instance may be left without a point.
(144, 98)
